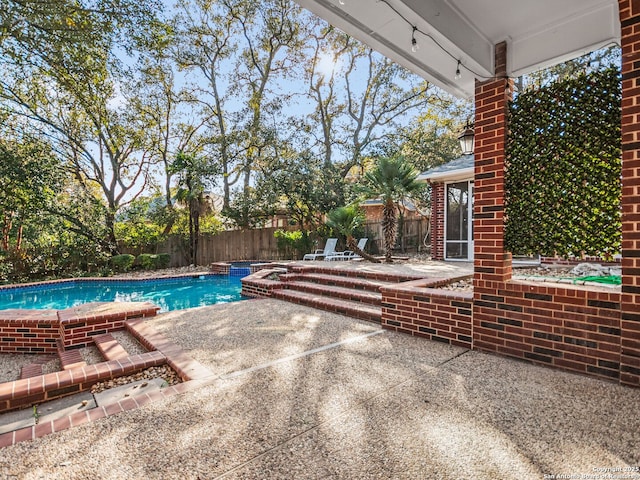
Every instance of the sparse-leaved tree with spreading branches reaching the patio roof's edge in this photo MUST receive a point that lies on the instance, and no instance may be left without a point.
(360, 97)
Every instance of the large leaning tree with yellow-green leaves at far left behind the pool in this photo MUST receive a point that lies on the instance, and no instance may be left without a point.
(61, 76)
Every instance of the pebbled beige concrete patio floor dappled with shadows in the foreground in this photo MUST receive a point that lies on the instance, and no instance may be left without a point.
(300, 393)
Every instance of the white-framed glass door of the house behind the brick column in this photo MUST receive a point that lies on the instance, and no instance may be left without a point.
(459, 221)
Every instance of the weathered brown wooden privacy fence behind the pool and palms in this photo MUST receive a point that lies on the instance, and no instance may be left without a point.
(260, 244)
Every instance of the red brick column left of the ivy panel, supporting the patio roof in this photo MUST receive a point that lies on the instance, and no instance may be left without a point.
(492, 263)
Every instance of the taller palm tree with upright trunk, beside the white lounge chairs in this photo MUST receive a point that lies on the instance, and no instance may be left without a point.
(392, 180)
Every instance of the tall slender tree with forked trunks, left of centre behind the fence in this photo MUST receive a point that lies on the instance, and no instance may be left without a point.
(241, 49)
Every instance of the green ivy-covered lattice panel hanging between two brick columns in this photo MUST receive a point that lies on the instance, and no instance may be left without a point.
(563, 168)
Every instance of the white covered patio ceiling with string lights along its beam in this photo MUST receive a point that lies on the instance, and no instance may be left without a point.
(539, 33)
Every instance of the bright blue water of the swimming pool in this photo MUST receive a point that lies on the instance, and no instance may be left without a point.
(168, 294)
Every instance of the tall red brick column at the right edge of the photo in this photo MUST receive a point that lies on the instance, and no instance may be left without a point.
(630, 301)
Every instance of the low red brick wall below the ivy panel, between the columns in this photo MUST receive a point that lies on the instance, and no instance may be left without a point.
(571, 327)
